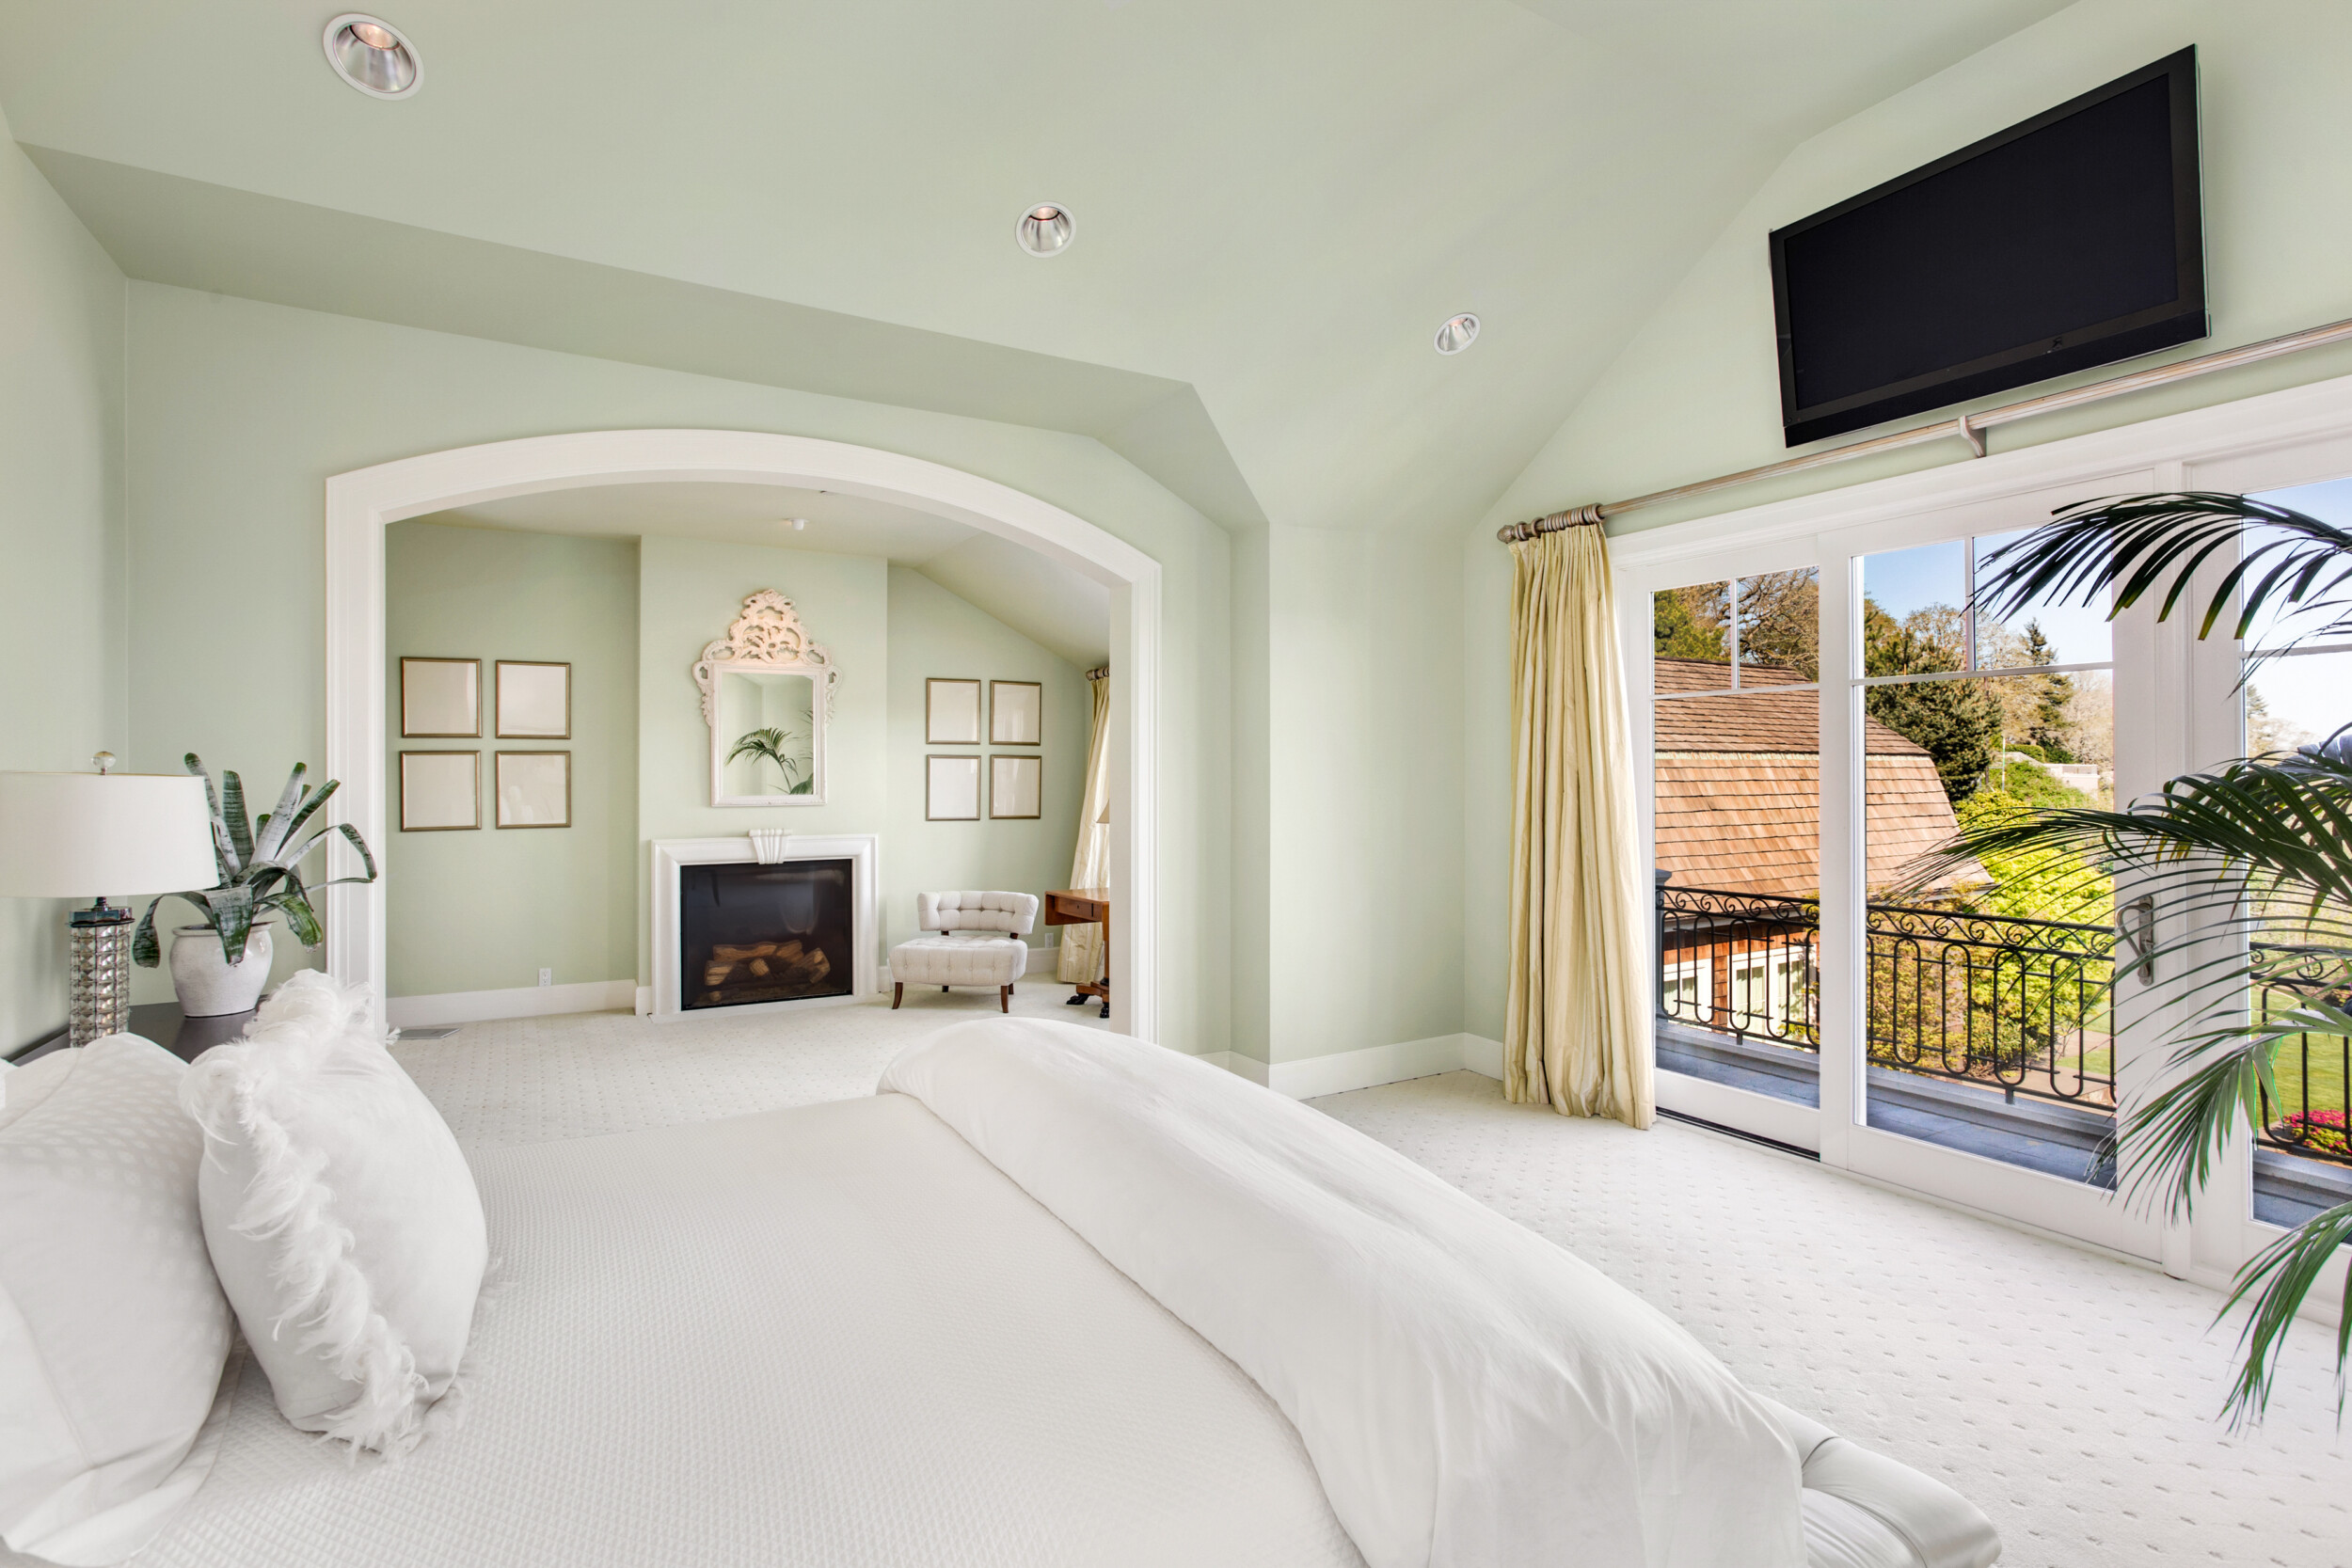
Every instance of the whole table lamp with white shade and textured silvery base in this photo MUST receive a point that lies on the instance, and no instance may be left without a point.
(88, 836)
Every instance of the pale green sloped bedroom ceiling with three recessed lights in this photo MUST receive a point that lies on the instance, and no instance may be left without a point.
(1276, 201)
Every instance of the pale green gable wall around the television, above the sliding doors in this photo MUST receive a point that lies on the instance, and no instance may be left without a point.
(1697, 394)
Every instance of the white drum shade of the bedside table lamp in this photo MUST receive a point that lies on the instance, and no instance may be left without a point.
(105, 836)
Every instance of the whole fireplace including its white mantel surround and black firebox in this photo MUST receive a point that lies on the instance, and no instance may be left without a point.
(733, 932)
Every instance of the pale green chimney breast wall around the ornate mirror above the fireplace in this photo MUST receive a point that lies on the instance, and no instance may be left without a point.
(690, 591)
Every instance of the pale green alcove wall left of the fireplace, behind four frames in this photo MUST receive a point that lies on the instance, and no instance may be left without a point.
(486, 911)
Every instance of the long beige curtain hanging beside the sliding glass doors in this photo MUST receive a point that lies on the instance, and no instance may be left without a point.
(1579, 1021)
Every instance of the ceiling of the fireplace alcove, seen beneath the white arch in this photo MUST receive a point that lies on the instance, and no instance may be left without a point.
(1048, 603)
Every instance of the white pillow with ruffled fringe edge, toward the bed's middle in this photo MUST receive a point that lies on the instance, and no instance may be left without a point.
(342, 1219)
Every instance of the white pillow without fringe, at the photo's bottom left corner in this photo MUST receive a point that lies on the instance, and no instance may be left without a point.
(112, 1327)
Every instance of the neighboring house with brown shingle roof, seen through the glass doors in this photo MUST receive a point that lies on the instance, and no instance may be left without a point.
(1739, 831)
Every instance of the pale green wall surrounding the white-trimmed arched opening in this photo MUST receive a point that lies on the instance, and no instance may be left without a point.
(246, 410)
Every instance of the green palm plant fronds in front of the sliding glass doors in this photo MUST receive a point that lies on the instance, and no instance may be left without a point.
(2250, 866)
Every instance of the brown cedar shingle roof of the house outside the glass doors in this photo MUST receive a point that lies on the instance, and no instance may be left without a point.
(1739, 786)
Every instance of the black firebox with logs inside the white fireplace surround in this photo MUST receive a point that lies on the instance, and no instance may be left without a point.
(763, 932)
